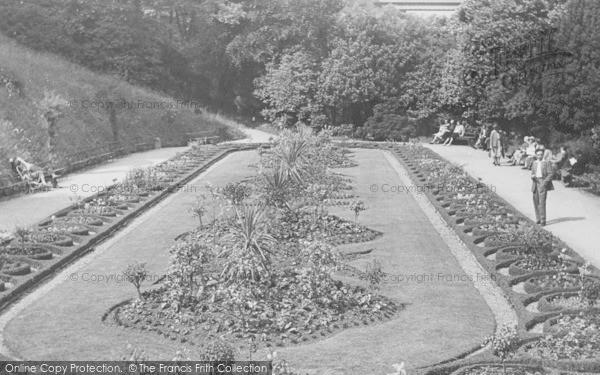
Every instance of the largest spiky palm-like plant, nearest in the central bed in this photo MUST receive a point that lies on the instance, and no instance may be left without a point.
(248, 246)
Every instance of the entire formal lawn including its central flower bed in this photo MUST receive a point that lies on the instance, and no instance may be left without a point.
(322, 311)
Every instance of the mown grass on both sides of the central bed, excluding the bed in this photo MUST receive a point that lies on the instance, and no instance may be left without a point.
(443, 317)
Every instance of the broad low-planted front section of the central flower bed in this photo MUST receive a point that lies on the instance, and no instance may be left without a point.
(281, 319)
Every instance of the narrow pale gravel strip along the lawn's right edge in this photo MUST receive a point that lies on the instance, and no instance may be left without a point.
(489, 290)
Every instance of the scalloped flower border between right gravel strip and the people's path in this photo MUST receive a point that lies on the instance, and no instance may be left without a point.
(508, 240)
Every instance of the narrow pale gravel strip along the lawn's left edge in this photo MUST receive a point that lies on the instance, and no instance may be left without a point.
(64, 276)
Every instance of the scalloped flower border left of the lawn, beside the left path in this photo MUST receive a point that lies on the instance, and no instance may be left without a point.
(93, 211)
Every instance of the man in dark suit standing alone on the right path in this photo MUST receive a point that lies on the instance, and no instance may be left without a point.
(541, 174)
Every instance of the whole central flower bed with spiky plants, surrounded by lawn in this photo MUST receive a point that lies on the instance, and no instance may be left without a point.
(262, 269)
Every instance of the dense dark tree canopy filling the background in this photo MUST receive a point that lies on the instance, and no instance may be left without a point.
(526, 64)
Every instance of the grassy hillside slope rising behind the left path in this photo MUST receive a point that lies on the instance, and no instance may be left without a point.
(50, 107)
